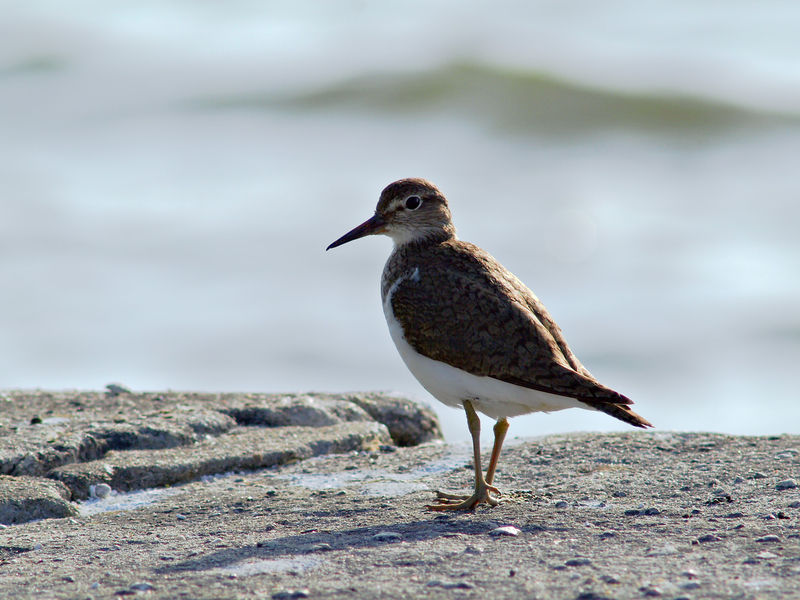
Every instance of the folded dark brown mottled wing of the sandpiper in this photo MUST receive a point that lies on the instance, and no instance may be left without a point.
(517, 344)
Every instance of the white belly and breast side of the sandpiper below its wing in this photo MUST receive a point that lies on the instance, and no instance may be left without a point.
(452, 386)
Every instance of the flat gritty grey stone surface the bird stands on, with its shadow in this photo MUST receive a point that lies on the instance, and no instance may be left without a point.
(637, 515)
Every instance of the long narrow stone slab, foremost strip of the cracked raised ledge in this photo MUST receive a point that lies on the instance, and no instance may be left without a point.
(242, 449)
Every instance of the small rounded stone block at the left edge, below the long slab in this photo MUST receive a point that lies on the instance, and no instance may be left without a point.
(25, 498)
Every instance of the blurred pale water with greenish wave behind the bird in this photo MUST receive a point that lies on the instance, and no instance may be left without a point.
(171, 172)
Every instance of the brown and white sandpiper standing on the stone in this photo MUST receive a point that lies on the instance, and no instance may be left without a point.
(471, 332)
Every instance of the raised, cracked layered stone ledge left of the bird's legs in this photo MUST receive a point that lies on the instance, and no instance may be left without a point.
(135, 440)
